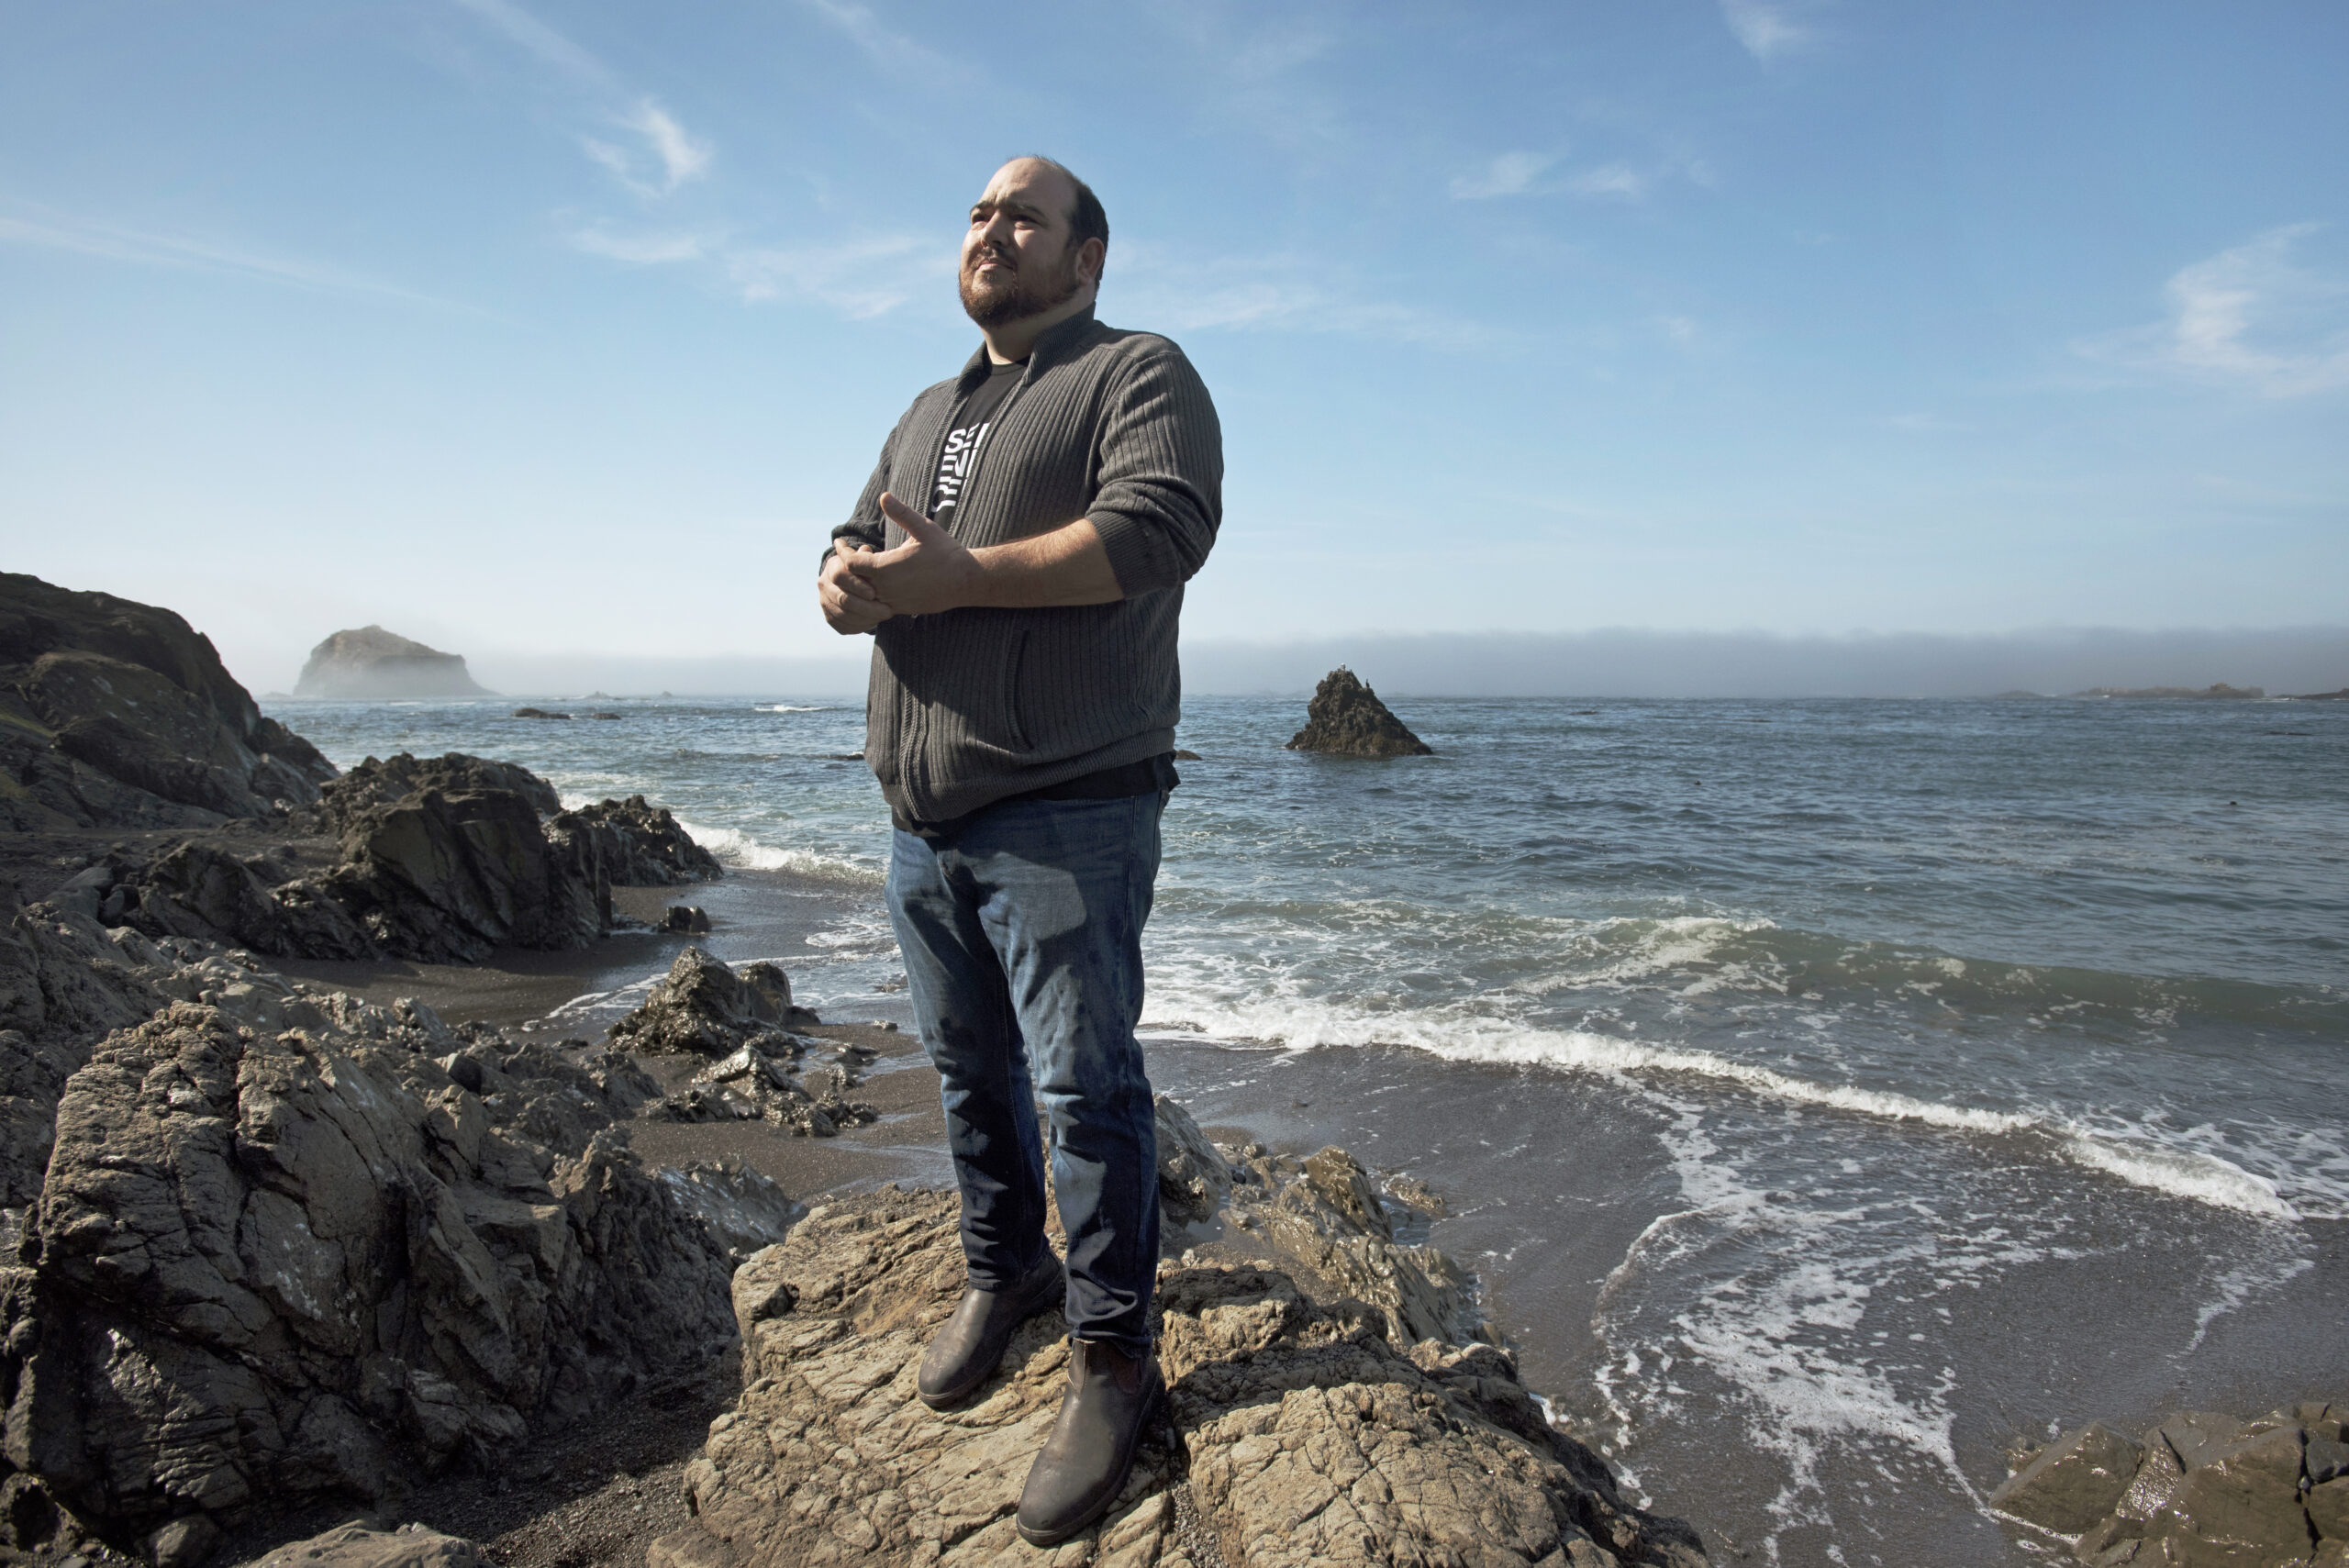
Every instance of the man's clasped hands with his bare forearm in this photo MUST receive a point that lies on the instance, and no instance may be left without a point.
(934, 572)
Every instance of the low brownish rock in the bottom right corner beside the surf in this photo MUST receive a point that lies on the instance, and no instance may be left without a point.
(2197, 1489)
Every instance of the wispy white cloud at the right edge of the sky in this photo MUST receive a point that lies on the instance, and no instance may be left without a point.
(2249, 318)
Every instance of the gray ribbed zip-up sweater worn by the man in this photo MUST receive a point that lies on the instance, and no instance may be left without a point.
(978, 705)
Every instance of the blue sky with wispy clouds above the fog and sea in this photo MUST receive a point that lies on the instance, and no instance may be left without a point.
(532, 327)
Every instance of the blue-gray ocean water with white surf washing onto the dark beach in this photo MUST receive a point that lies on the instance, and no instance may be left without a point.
(1833, 1093)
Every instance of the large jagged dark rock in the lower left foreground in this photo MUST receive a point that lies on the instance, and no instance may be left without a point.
(302, 1245)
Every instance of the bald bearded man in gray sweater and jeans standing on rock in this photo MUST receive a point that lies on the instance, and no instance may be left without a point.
(1018, 557)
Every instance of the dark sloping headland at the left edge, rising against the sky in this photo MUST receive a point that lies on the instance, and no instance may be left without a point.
(119, 715)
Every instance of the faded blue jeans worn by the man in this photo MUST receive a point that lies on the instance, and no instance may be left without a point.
(1023, 952)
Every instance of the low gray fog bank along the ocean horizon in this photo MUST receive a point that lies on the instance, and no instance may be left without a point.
(1610, 663)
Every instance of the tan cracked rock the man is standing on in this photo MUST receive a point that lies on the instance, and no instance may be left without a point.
(1300, 1431)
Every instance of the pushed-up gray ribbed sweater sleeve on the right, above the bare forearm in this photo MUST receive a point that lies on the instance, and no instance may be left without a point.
(1162, 475)
